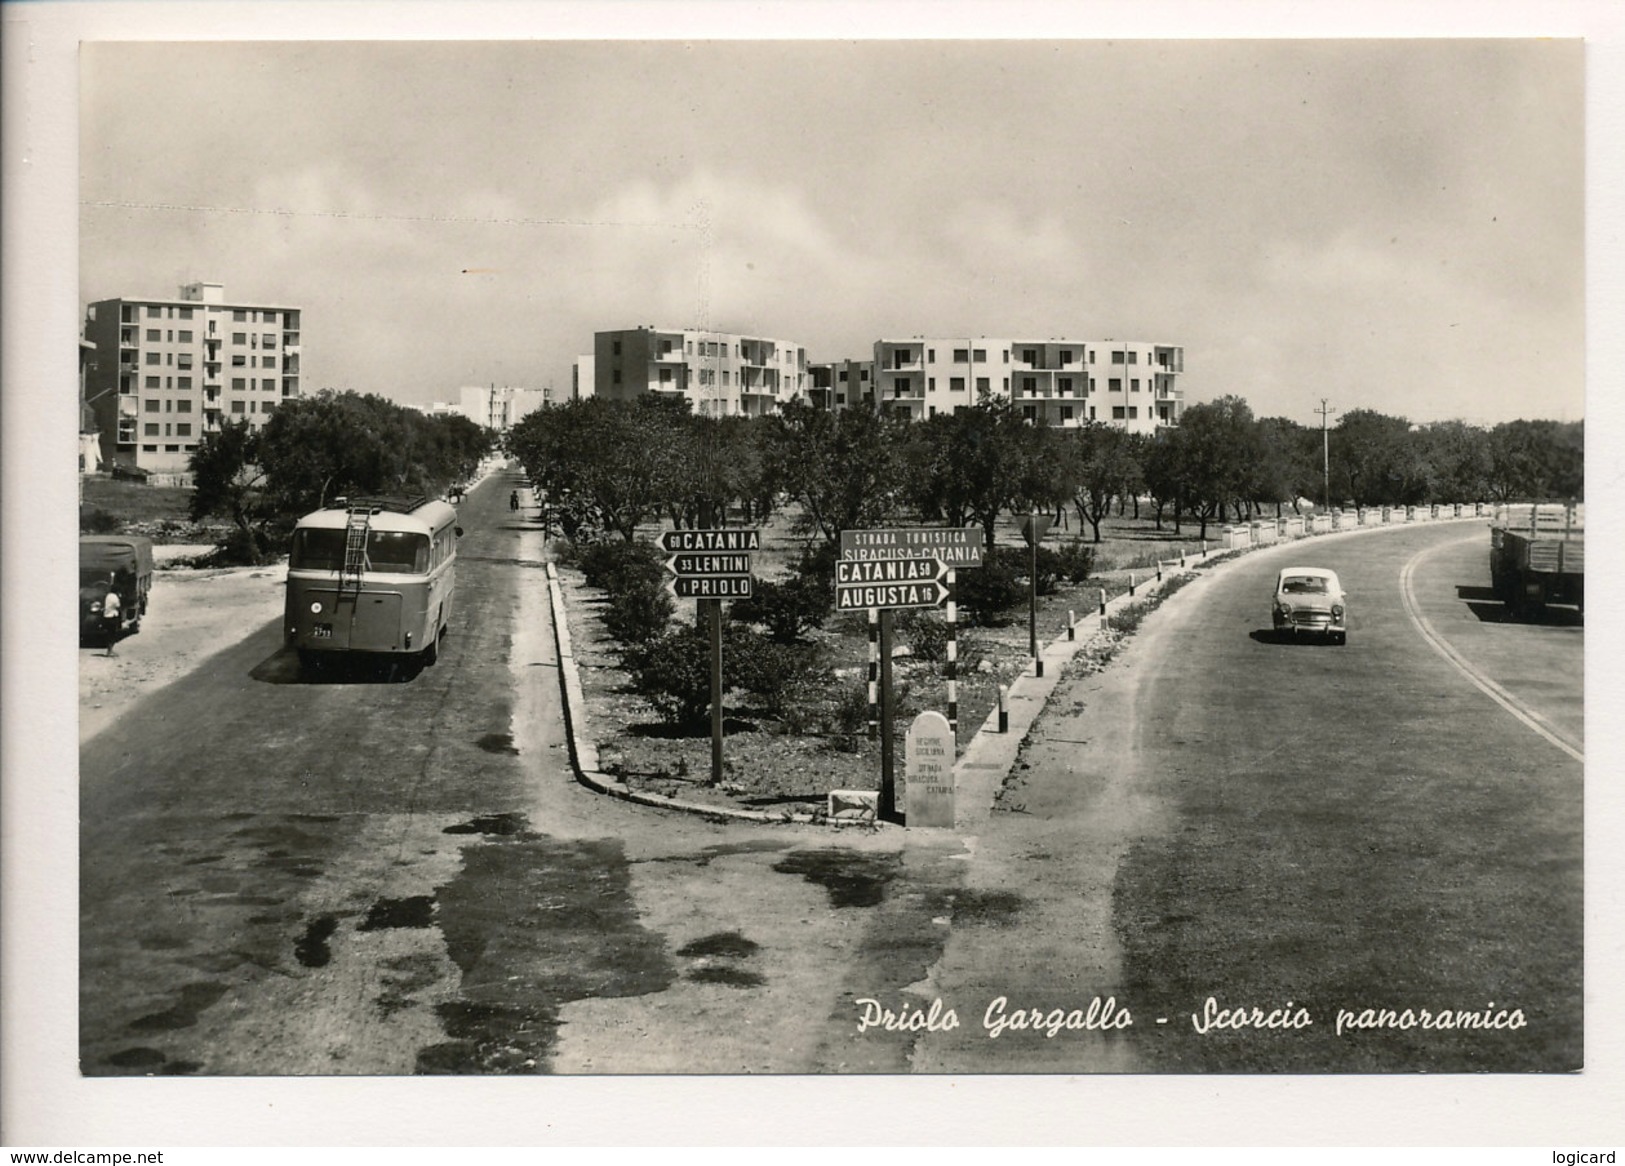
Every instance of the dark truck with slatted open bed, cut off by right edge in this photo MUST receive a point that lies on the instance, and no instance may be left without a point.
(1538, 558)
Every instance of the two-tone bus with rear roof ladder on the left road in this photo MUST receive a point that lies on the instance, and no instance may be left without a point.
(371, 576)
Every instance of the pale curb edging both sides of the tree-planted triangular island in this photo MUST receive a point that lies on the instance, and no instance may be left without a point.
(987, 759)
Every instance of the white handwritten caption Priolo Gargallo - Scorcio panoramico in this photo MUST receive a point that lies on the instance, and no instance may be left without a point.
(1103, 1016)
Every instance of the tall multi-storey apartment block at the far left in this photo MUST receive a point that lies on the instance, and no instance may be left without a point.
(170, 371)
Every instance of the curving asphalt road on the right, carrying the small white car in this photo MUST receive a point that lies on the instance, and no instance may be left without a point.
(1296, 827)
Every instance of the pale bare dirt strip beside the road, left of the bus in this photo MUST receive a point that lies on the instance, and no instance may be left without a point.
(191, 616)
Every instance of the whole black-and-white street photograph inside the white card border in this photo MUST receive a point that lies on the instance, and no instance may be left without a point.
(976, 558)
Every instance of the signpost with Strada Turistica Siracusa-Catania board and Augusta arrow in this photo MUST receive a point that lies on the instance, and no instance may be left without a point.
(908, 568)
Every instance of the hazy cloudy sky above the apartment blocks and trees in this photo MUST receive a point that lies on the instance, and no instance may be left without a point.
(1387, 225)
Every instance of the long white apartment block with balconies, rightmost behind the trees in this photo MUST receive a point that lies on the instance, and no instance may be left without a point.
(1054, 382)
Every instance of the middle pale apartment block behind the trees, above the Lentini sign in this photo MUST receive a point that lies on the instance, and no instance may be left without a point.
(719, 374)
